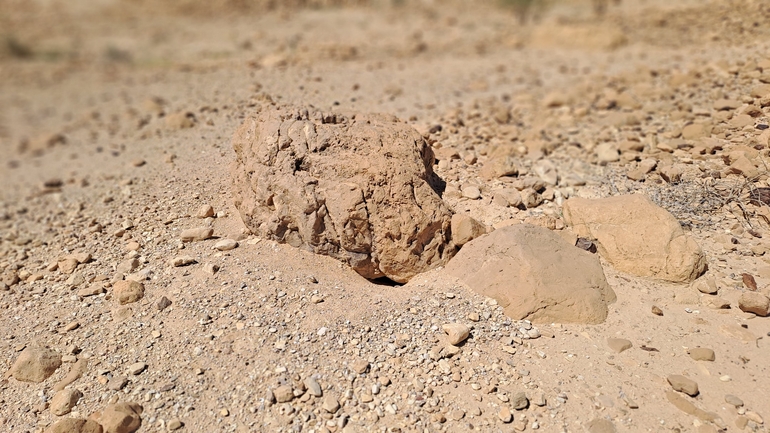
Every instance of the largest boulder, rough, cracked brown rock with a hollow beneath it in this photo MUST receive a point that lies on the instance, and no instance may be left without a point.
(343, 186)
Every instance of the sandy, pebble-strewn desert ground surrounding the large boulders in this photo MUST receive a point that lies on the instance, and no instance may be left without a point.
(134, 296)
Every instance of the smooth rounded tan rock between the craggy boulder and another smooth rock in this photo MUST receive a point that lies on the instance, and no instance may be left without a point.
(533, 273)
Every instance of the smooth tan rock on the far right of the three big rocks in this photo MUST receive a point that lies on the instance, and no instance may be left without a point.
(637, 236)
